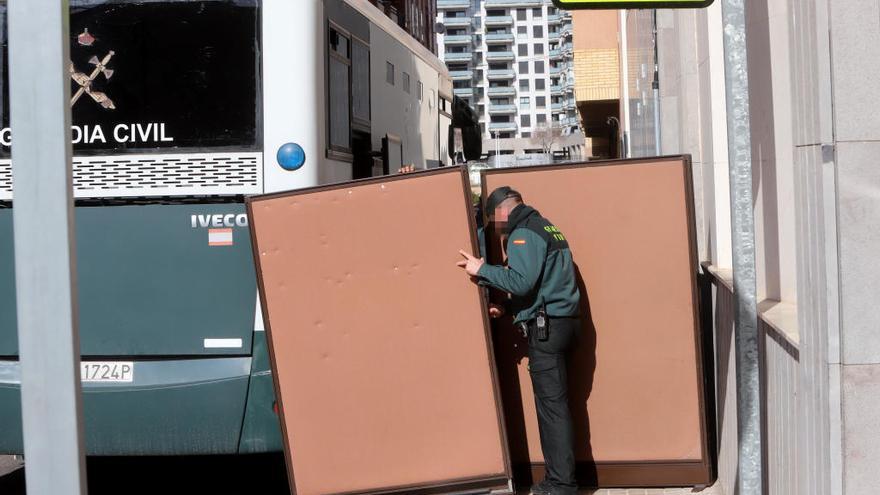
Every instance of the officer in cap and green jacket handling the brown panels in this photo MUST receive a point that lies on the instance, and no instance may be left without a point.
(543, 296)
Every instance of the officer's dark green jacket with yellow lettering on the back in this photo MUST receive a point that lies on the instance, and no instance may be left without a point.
(539, 268)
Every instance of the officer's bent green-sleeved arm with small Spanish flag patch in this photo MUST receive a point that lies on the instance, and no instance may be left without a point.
(526, 252)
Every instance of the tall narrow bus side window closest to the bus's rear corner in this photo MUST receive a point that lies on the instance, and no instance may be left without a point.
(339, 92)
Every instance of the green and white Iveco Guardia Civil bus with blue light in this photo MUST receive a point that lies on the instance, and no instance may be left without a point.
(180, 110)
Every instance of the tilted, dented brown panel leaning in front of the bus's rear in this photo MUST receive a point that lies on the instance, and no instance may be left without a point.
(380, 347)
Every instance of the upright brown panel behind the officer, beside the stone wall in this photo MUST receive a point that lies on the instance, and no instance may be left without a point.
(636, 378)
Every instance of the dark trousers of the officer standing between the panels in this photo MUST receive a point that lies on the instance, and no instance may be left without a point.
(547, 367)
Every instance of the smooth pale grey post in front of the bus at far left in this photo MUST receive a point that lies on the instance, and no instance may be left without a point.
(44, 252)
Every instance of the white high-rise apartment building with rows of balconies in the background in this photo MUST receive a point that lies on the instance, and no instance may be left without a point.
(512, 61)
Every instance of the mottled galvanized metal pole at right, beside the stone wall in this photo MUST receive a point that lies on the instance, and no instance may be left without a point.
(748, 384)
